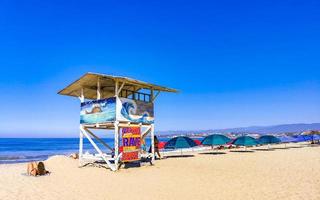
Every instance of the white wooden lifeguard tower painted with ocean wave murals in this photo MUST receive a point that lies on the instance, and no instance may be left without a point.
(115, 103)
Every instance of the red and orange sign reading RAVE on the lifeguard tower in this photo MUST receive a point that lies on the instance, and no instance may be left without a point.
(131, 137)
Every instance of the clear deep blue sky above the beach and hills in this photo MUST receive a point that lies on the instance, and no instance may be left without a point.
(236, 63)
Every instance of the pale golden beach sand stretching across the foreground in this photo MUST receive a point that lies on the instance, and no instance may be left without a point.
(292, 173)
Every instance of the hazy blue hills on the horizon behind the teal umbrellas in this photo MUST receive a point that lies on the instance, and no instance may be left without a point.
(276, 129)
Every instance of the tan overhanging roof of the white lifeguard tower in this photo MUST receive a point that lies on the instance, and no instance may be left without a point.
(89, 83)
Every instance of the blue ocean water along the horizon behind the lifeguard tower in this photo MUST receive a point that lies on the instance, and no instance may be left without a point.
(17, 150)
